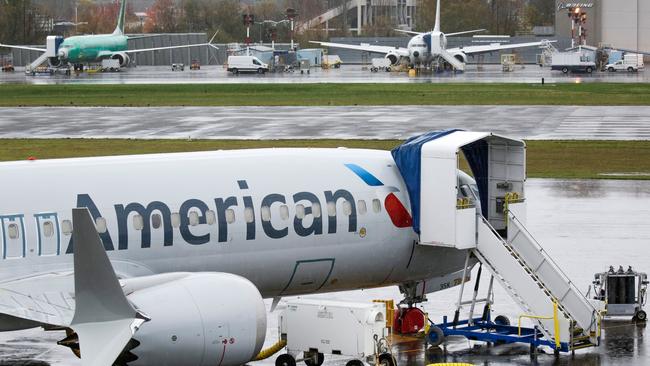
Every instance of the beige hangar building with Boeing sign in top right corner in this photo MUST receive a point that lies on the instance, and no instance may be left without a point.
(623, 24)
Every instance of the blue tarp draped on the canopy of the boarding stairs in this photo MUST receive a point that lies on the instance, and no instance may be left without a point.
(408, 160)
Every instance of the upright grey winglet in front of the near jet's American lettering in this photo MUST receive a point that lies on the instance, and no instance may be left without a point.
(104, 319)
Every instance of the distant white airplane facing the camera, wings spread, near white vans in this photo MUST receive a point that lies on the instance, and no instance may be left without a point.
(425, 48)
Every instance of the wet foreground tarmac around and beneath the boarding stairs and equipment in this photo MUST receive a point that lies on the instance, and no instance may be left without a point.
(585, 225)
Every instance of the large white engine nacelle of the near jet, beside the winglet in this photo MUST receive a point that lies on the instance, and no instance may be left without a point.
(203, 319)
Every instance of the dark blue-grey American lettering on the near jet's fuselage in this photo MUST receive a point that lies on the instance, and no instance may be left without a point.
(222, 205)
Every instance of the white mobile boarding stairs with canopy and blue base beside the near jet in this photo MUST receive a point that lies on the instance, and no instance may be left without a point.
(493, 230)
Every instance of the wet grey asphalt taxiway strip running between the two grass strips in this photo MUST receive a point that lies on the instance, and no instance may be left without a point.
(388, 122)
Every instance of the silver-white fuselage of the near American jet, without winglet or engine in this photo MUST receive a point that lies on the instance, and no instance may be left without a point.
(253, 213)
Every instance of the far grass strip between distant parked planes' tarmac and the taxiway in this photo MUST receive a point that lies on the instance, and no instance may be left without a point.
(324, 94)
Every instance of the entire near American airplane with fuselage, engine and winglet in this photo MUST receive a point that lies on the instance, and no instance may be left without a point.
(165, 259)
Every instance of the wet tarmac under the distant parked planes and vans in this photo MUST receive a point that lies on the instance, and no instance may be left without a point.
(346, 74)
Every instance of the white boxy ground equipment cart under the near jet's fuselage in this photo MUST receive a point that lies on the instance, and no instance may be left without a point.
(332, 327)
